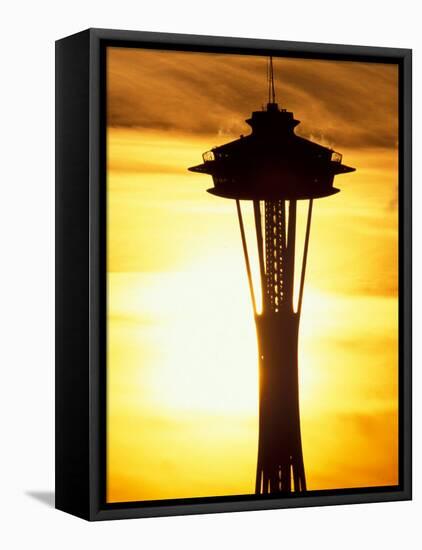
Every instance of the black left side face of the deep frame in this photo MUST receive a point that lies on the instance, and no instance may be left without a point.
(72, 368)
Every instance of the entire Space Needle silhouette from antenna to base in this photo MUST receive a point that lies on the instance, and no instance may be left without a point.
(274, 168)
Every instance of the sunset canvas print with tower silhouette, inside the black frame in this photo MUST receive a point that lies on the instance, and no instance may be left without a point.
(252, 275)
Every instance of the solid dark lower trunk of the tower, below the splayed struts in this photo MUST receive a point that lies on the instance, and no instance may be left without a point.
(280, 466)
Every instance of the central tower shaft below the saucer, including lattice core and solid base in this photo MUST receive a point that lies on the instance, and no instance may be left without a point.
(280, 459)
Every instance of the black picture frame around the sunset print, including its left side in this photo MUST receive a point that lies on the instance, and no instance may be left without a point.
(80, 272)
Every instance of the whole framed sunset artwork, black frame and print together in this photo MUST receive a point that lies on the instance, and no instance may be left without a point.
(233, 322)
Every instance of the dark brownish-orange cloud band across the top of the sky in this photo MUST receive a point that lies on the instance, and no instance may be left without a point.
(342, 103)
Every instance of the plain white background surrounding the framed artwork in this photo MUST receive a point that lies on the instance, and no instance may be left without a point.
(27, 39)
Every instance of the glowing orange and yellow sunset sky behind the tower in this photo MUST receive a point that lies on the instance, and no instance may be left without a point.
(182, 386)
